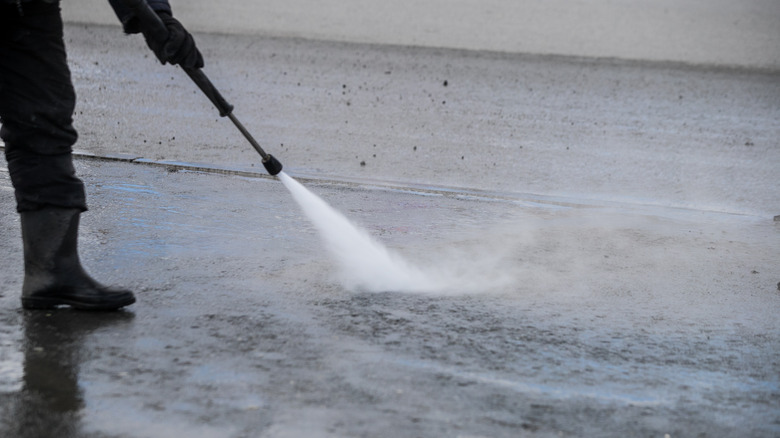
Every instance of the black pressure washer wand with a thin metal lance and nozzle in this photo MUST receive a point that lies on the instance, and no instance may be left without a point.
(143, 12)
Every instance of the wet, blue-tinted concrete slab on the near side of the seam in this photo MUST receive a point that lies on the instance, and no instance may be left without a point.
(622, 321)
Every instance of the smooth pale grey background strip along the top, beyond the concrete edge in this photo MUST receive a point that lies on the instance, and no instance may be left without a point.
(722, 32)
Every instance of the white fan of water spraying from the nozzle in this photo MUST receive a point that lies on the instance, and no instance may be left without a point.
(367, 264)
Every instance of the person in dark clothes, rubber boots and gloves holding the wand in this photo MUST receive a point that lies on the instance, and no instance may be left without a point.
(37, 101)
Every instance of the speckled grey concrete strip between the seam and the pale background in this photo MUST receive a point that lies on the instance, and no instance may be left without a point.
(637, 132)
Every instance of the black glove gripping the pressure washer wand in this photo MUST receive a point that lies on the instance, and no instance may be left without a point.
(179, 48)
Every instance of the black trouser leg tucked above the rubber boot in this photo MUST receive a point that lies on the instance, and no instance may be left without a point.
(36, 107)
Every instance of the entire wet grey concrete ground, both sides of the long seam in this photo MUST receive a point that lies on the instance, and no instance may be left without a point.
(631, 202)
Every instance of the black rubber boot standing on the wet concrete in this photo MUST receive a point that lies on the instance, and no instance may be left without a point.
(53, 274)
